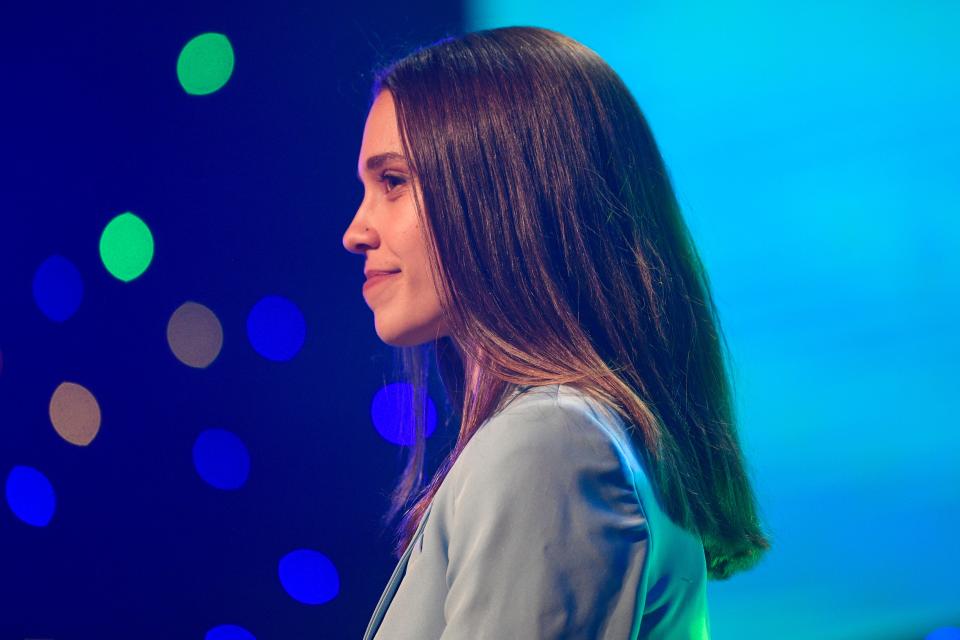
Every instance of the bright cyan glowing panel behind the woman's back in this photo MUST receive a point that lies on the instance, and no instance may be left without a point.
(814, 150)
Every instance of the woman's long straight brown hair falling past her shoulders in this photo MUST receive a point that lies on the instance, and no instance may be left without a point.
(562, 257)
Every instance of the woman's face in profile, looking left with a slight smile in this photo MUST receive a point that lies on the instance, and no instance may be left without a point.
(386, 231)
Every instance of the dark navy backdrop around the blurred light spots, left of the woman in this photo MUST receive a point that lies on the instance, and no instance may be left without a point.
(247, 192)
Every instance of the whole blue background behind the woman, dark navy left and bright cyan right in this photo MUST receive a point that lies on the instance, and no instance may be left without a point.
(814, 149)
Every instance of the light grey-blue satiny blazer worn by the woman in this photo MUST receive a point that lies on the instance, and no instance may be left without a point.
(546, 526)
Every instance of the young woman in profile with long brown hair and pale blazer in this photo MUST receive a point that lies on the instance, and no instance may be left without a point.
(518, 224)
